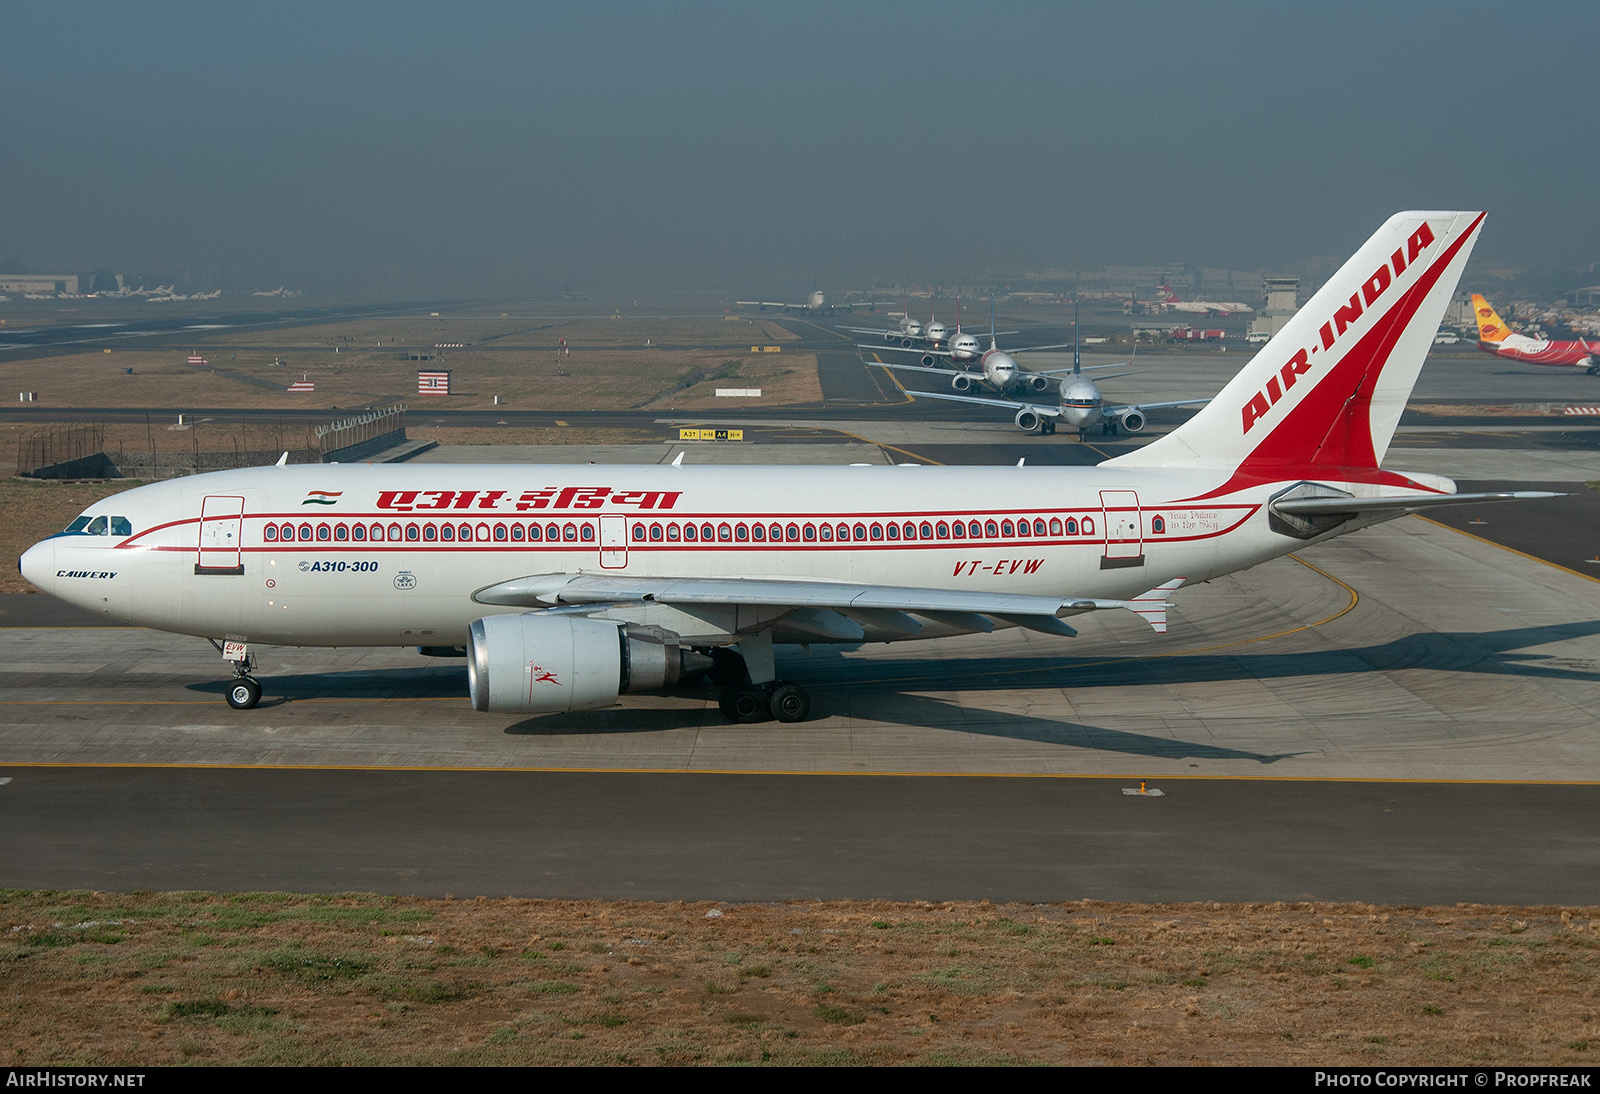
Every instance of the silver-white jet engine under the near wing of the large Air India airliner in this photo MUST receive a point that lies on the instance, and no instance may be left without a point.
(546, 665)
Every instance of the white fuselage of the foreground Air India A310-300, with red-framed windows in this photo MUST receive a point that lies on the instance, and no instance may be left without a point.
(391, 556)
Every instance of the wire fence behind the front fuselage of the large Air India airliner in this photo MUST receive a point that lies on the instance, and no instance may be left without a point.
(81, 450)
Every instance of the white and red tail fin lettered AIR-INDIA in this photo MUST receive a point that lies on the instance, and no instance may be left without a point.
(1329, 389)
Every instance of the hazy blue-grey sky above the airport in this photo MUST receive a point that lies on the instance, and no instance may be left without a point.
(510, 148)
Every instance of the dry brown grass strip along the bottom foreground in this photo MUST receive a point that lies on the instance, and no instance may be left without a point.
(103, 980)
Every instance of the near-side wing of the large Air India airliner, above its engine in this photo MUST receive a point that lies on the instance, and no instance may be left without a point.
(969, 609)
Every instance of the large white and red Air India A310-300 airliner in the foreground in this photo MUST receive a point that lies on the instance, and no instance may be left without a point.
(569, 586)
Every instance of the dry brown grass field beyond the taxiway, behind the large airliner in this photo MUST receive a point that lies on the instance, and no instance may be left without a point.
(362, 364)
